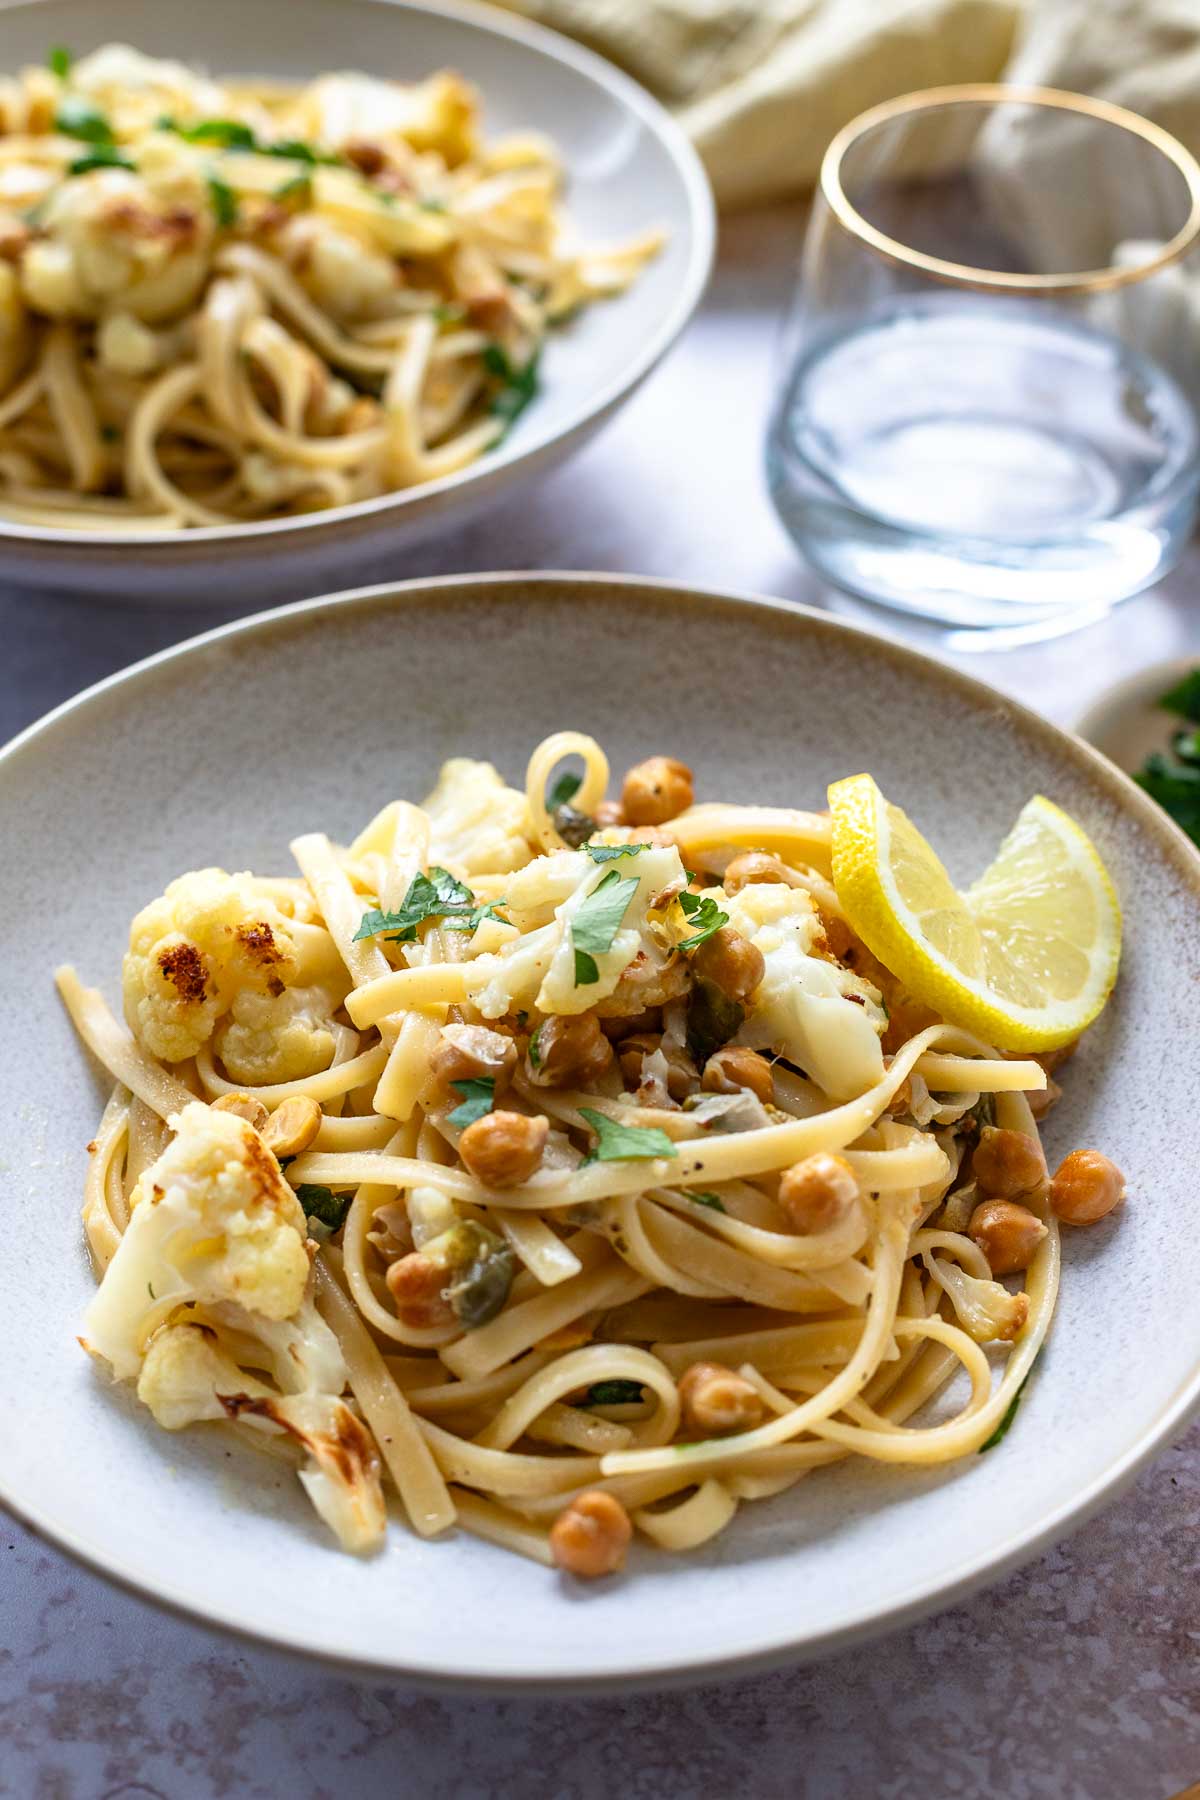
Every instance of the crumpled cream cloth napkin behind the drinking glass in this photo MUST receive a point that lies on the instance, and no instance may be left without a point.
(762, 85)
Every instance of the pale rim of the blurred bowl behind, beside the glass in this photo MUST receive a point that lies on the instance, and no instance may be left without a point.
(305, 528)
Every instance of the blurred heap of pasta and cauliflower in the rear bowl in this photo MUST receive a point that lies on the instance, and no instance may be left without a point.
(235, 301)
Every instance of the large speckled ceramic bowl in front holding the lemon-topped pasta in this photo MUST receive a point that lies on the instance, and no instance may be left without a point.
(310, 719)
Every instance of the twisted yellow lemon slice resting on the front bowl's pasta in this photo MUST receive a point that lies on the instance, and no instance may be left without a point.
(1026, 957)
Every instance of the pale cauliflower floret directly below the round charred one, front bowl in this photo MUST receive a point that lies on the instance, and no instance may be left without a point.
(213, 1221)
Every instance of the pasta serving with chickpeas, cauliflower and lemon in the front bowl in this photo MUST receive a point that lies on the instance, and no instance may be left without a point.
(578, 1165)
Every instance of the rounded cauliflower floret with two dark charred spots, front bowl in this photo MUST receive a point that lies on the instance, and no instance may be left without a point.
(193, 953)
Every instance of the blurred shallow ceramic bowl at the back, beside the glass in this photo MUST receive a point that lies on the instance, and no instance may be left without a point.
(629, 170)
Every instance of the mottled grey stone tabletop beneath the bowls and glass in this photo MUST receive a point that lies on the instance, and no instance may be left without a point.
(1075, 1680)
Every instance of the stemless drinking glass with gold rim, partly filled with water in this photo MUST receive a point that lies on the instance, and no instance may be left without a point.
(990, 391)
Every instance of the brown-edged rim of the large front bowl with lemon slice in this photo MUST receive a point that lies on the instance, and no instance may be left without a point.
(926, 1597)
